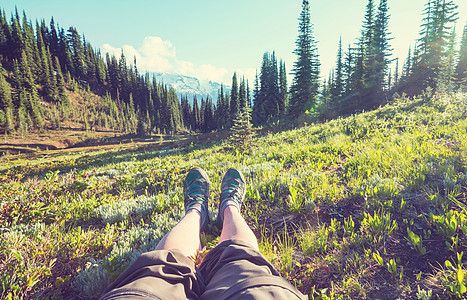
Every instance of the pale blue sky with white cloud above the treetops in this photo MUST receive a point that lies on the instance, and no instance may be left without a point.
(212, 39)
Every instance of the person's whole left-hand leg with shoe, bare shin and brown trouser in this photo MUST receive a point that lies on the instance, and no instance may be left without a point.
(168, 272)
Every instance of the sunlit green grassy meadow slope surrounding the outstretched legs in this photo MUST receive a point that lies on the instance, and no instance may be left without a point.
(370, 206)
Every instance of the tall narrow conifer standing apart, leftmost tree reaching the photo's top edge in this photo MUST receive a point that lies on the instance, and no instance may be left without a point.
(305, 85)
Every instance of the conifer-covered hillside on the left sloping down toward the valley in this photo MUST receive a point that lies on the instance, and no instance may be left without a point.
(43, 67)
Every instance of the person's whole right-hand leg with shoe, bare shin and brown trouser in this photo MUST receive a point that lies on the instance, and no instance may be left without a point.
(235, 269)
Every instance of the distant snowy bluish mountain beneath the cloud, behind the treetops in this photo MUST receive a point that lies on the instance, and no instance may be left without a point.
(191, 86)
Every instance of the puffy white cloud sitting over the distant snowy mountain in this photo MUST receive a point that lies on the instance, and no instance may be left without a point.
(157, 55)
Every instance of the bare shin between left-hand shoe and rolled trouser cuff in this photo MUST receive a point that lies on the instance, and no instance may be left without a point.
(184, 236)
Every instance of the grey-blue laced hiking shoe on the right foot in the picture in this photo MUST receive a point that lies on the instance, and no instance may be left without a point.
(233, 189)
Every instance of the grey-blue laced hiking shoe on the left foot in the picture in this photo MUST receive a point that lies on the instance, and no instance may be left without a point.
(196, 194)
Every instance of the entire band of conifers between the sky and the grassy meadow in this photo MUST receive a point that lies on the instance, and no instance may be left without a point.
(39, 69)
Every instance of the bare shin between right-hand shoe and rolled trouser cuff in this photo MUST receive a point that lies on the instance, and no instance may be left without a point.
(235, 228)
